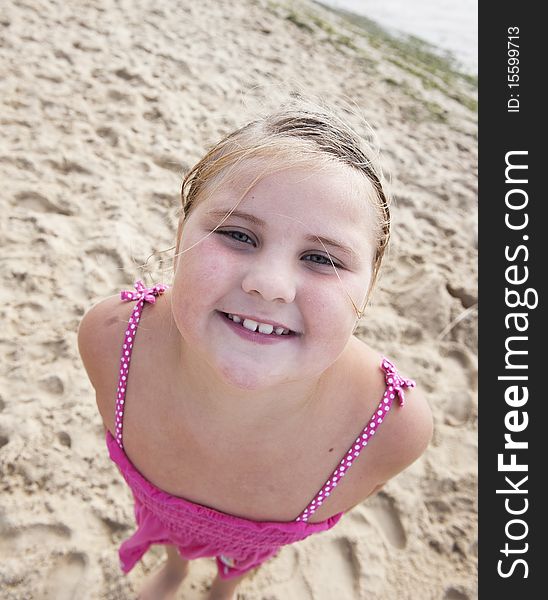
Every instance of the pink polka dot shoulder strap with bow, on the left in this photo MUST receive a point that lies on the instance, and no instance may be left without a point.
(142, 295)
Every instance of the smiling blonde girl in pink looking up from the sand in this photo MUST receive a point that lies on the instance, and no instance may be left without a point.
(252, 417)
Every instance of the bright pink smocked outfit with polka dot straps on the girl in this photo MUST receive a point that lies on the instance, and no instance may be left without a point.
(239, 544)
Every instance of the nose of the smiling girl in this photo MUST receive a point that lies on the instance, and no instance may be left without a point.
(271, 280)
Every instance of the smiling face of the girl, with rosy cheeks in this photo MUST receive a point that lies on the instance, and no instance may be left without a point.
(265, 267)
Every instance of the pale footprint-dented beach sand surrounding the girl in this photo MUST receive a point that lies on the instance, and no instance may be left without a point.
(104, 104)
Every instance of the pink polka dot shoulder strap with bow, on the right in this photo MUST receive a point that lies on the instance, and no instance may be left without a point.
(394, 387)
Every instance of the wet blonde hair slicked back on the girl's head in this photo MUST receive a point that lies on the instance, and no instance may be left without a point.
(293, 136)
